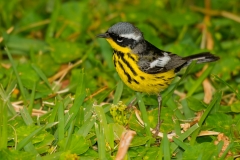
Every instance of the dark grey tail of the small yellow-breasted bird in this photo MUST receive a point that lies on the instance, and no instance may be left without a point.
(199, 58)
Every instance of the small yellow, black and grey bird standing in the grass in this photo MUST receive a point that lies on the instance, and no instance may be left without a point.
(144, 67)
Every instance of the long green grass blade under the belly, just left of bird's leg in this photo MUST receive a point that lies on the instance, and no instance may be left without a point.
(144, 115)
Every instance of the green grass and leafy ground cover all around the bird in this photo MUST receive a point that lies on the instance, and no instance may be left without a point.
(61, 98)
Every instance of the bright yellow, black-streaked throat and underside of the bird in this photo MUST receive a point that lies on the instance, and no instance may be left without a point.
(126, 65)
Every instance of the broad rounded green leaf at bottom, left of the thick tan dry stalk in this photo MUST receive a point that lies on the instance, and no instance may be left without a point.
(78, 144)
